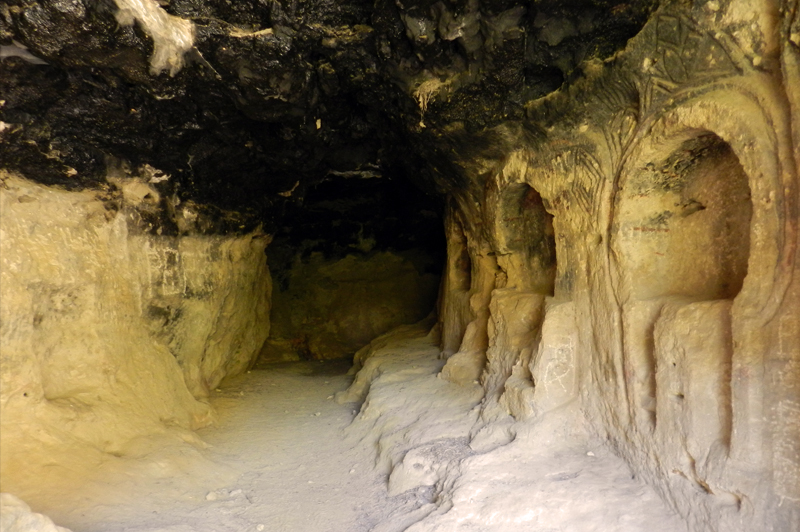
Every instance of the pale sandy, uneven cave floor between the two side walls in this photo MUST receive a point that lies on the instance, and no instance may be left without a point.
(285, 457)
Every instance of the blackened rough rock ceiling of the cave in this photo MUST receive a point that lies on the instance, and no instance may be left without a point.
(278, 96)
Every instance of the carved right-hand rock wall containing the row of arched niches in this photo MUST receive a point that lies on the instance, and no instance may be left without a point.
(639, 254)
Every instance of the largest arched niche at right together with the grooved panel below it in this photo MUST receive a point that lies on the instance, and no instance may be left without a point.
(681, 237)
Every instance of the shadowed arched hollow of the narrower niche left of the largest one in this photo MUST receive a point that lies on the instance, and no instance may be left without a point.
(525, 239)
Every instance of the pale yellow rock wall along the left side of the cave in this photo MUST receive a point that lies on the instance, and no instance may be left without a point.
(110, 332)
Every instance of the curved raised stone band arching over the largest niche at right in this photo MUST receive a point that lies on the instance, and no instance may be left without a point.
(756, 130)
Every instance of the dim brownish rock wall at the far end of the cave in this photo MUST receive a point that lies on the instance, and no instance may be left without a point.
(331, 308)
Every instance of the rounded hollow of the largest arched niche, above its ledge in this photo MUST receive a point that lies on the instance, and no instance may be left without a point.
(683, 221)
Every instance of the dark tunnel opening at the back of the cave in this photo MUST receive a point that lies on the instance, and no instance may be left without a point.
(354, 257)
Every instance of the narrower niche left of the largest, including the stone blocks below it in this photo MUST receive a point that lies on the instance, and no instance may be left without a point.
(530, 322)
